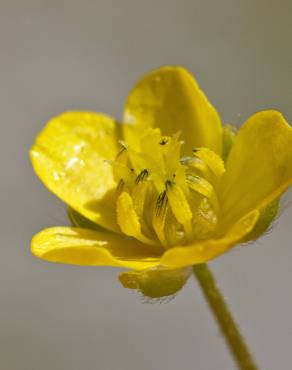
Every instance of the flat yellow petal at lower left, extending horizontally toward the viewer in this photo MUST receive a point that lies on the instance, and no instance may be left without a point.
(92, 248)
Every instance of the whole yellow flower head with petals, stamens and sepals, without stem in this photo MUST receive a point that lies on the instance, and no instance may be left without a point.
(169, 188)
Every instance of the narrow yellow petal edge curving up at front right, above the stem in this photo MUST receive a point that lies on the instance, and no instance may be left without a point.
(206, 250)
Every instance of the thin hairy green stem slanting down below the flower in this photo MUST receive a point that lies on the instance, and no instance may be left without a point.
(228, 326)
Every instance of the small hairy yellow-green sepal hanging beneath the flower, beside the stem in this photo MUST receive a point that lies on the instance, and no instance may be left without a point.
(156, 282)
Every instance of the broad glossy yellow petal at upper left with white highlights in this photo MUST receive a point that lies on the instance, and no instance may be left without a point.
(70, 155)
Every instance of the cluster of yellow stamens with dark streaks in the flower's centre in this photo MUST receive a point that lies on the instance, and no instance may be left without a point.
(163, 198)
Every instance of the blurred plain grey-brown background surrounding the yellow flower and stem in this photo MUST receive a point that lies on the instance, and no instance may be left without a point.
(73, 54)
